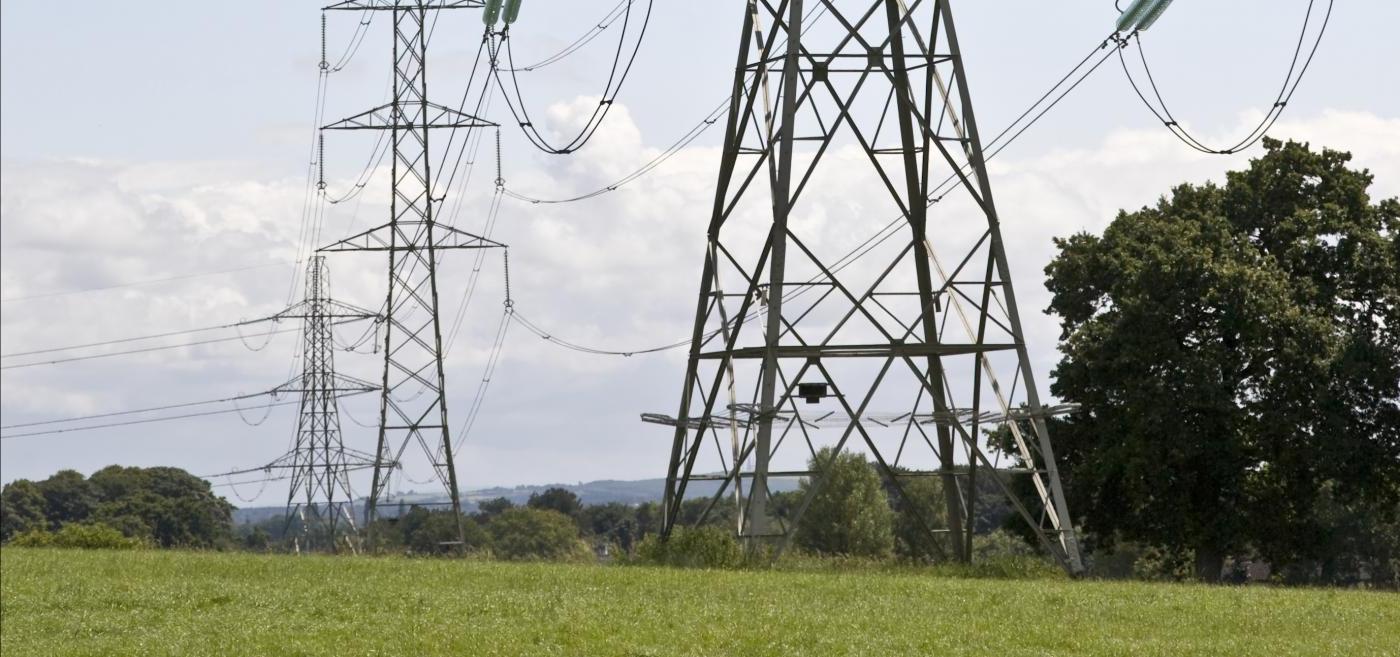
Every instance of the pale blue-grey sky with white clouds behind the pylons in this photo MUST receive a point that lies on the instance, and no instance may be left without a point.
(145, 146)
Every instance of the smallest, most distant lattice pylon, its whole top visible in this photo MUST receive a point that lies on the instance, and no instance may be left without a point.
(320, 495)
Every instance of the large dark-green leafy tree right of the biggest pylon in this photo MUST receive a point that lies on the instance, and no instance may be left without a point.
(1235, 354)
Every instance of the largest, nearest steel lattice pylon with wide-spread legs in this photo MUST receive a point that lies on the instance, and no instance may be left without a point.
(880, 88)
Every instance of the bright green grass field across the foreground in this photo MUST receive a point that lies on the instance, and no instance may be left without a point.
(61, 603)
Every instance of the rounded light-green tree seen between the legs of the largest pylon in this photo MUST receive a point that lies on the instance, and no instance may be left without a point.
(849, 513)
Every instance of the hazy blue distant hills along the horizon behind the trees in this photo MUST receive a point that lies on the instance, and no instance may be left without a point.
(600, 492)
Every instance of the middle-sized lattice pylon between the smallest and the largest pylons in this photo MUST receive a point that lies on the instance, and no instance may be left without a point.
(414, 400)
